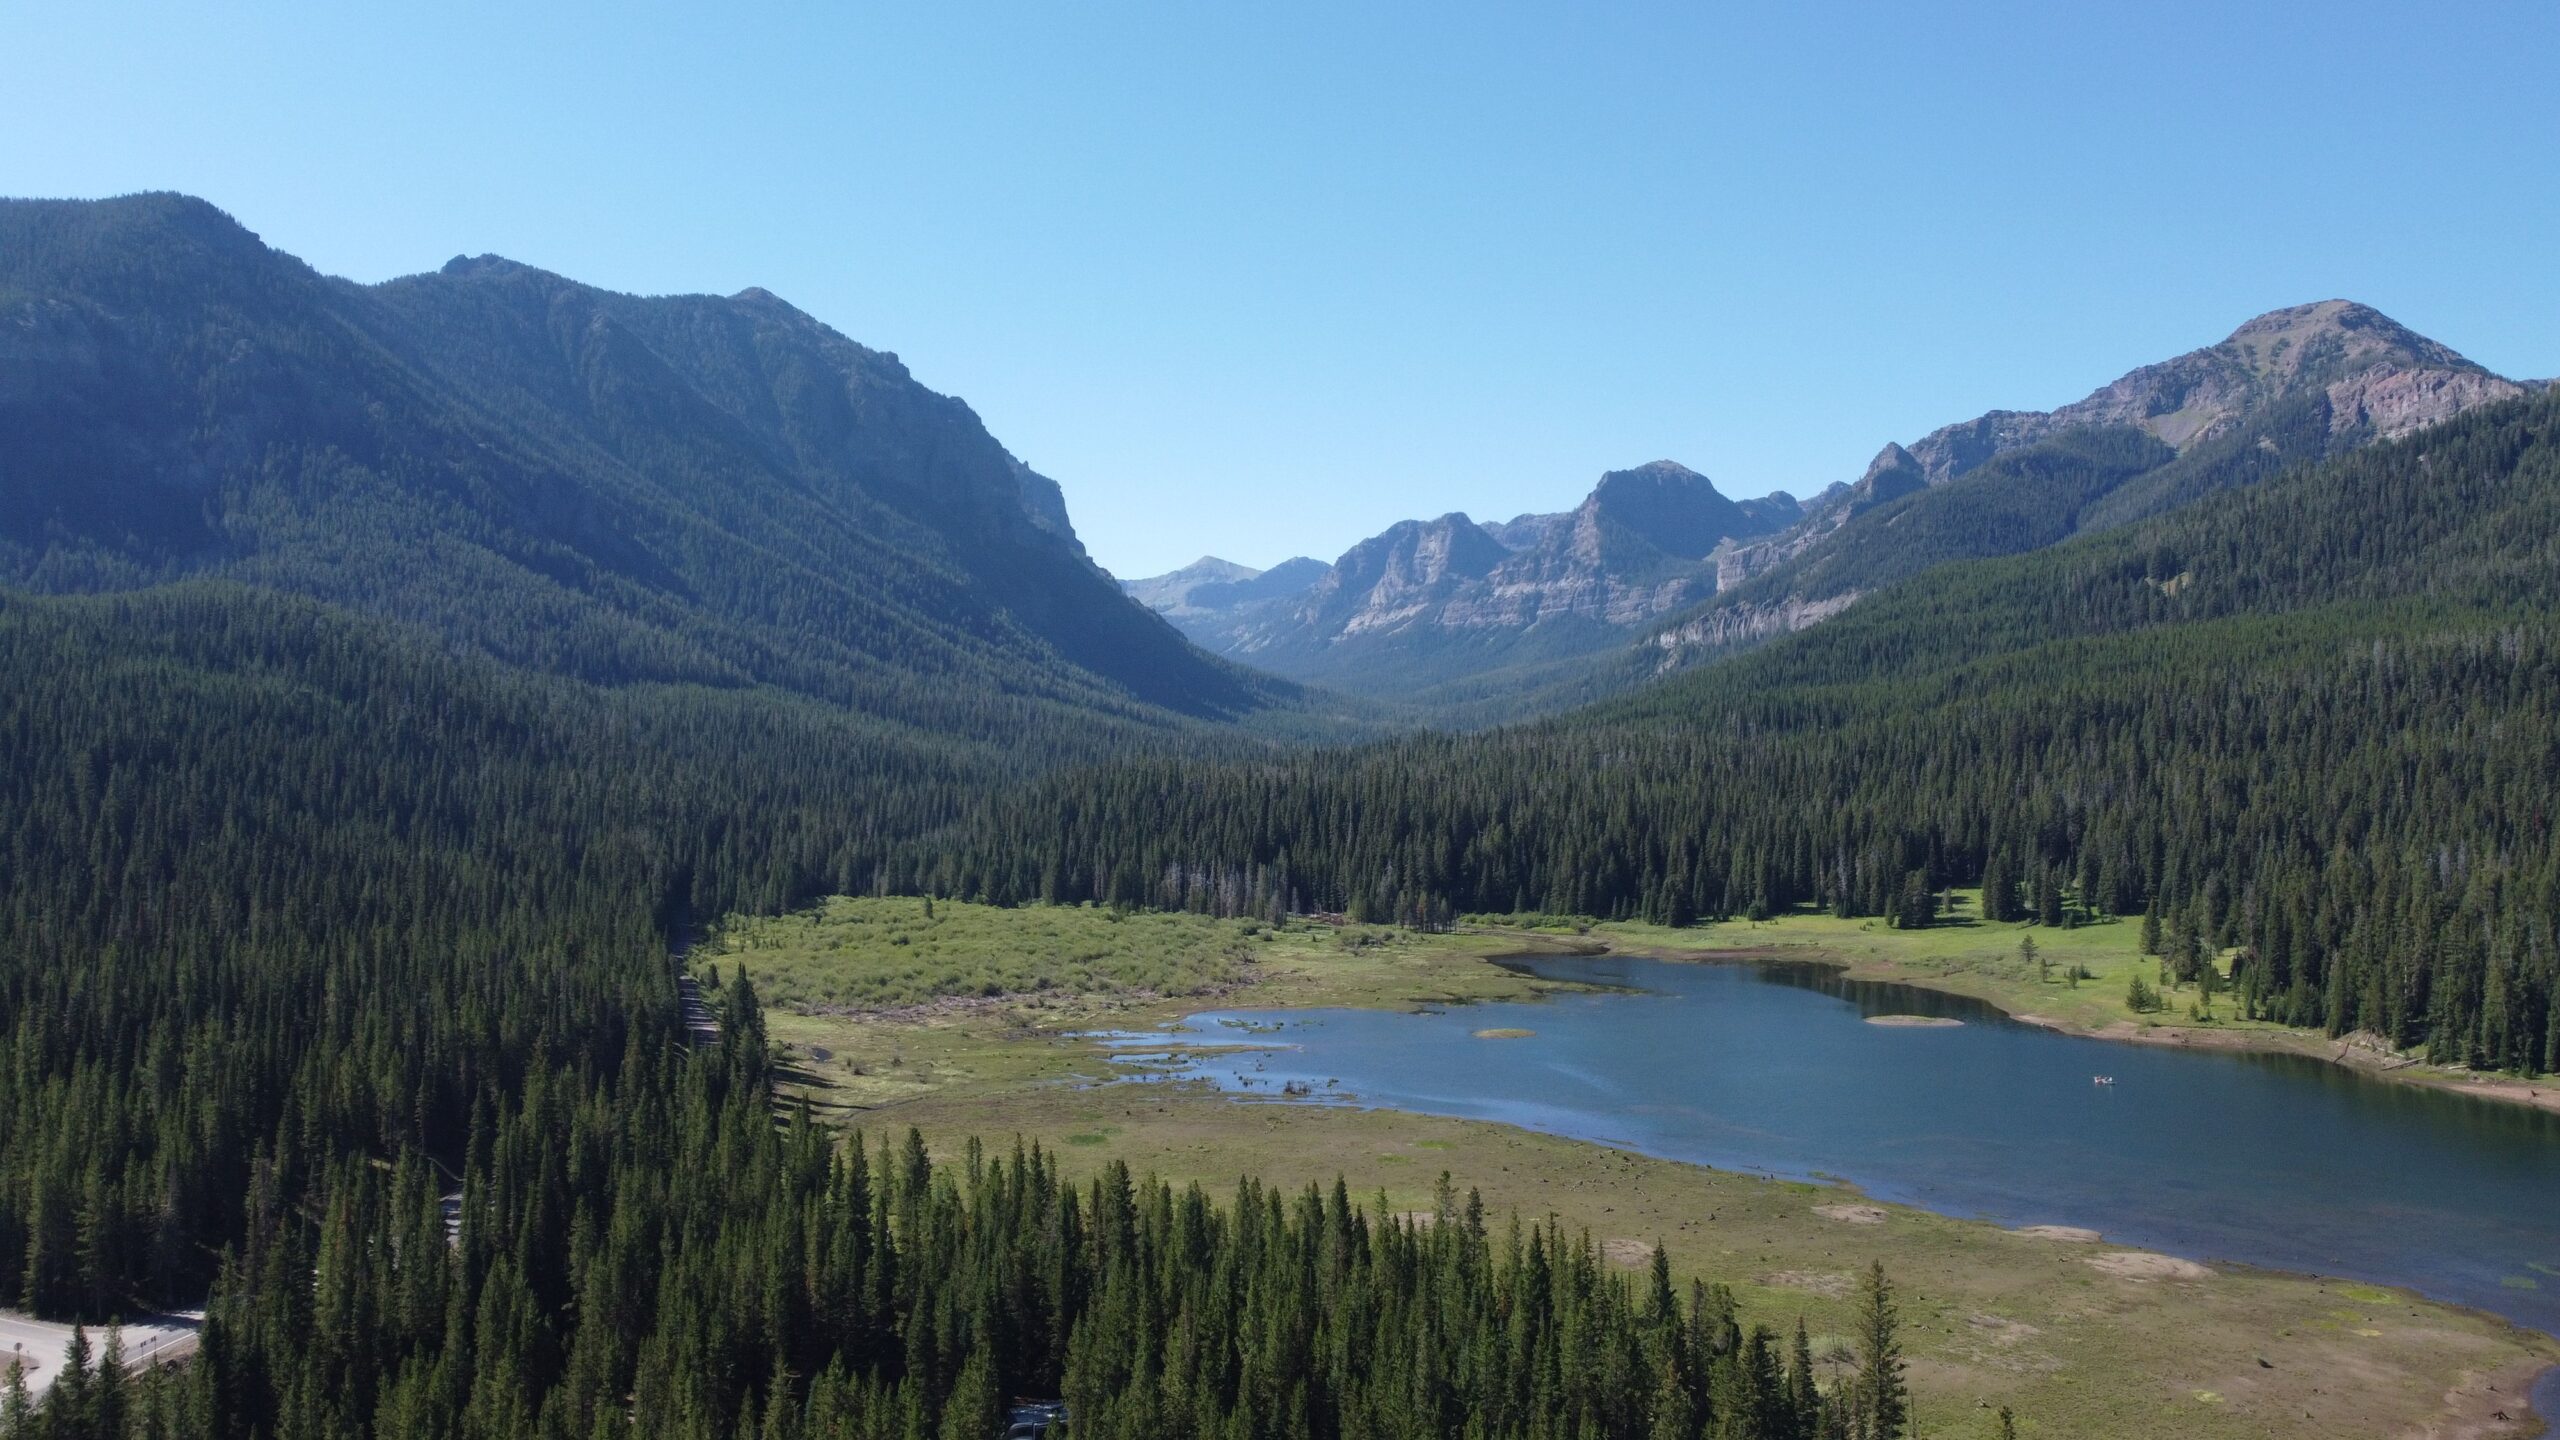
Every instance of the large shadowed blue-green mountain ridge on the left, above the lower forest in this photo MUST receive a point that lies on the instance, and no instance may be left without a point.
(611, 488)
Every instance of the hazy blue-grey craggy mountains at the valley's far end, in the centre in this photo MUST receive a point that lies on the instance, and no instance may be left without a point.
(1432, 603)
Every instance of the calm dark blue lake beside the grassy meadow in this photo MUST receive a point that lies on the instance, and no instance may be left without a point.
(2221, 1157)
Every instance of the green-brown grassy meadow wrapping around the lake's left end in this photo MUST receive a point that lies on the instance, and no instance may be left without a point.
(982, 1026)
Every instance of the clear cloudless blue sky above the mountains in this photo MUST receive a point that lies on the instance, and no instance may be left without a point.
(1258, 281)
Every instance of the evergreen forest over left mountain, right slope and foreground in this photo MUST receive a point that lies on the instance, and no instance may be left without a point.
(401, 678)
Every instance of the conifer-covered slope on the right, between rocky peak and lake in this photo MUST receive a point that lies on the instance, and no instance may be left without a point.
(2318, 719)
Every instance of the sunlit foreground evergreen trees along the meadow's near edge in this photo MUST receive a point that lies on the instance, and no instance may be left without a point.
(644, 1252)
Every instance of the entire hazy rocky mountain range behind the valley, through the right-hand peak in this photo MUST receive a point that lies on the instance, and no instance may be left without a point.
(1660, 570)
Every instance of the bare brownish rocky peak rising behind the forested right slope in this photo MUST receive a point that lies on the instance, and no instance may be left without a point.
(2287, 388)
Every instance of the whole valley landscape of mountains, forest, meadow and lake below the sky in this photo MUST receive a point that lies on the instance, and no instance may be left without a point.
(403, 673)
